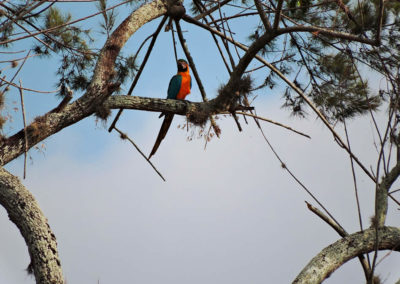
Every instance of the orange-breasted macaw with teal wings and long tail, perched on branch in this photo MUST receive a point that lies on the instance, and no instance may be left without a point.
(178, 88)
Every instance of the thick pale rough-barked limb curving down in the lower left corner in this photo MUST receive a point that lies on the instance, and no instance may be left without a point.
(25, 213)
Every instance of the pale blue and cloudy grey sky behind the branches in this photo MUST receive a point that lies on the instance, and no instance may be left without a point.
(227, 214)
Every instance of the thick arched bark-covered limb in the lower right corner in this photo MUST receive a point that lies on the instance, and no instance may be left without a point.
(336, 254)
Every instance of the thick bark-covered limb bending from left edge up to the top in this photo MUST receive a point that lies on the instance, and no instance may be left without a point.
(98, 91)
